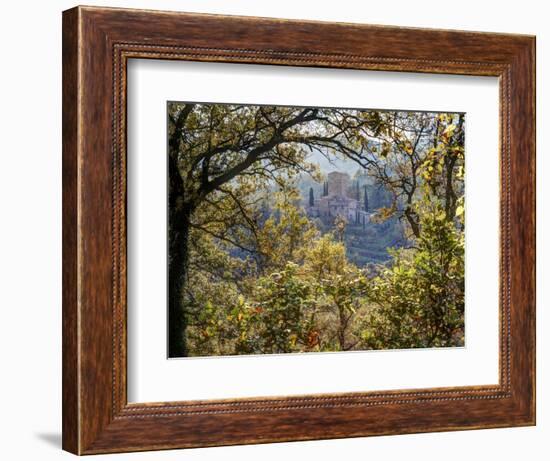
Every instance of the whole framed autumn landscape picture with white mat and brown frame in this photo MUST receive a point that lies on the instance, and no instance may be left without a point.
(284, 230)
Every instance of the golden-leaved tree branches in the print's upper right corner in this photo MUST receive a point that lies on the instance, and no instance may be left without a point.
(399, 149)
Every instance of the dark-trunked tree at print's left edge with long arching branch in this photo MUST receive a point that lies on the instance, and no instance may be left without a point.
(212, 147)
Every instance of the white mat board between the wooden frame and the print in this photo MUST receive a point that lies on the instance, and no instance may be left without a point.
(153, 378)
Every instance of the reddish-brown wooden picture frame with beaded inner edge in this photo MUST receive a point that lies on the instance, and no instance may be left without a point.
(97, 43)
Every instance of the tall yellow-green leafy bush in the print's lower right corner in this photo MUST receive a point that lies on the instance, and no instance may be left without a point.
(418, 301)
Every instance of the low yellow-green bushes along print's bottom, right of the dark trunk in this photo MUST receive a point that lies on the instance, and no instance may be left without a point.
(299, 308)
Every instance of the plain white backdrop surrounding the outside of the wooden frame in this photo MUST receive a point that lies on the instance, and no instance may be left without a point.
(30, 244)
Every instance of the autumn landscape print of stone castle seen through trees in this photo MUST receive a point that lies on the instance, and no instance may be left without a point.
(310, 229)
